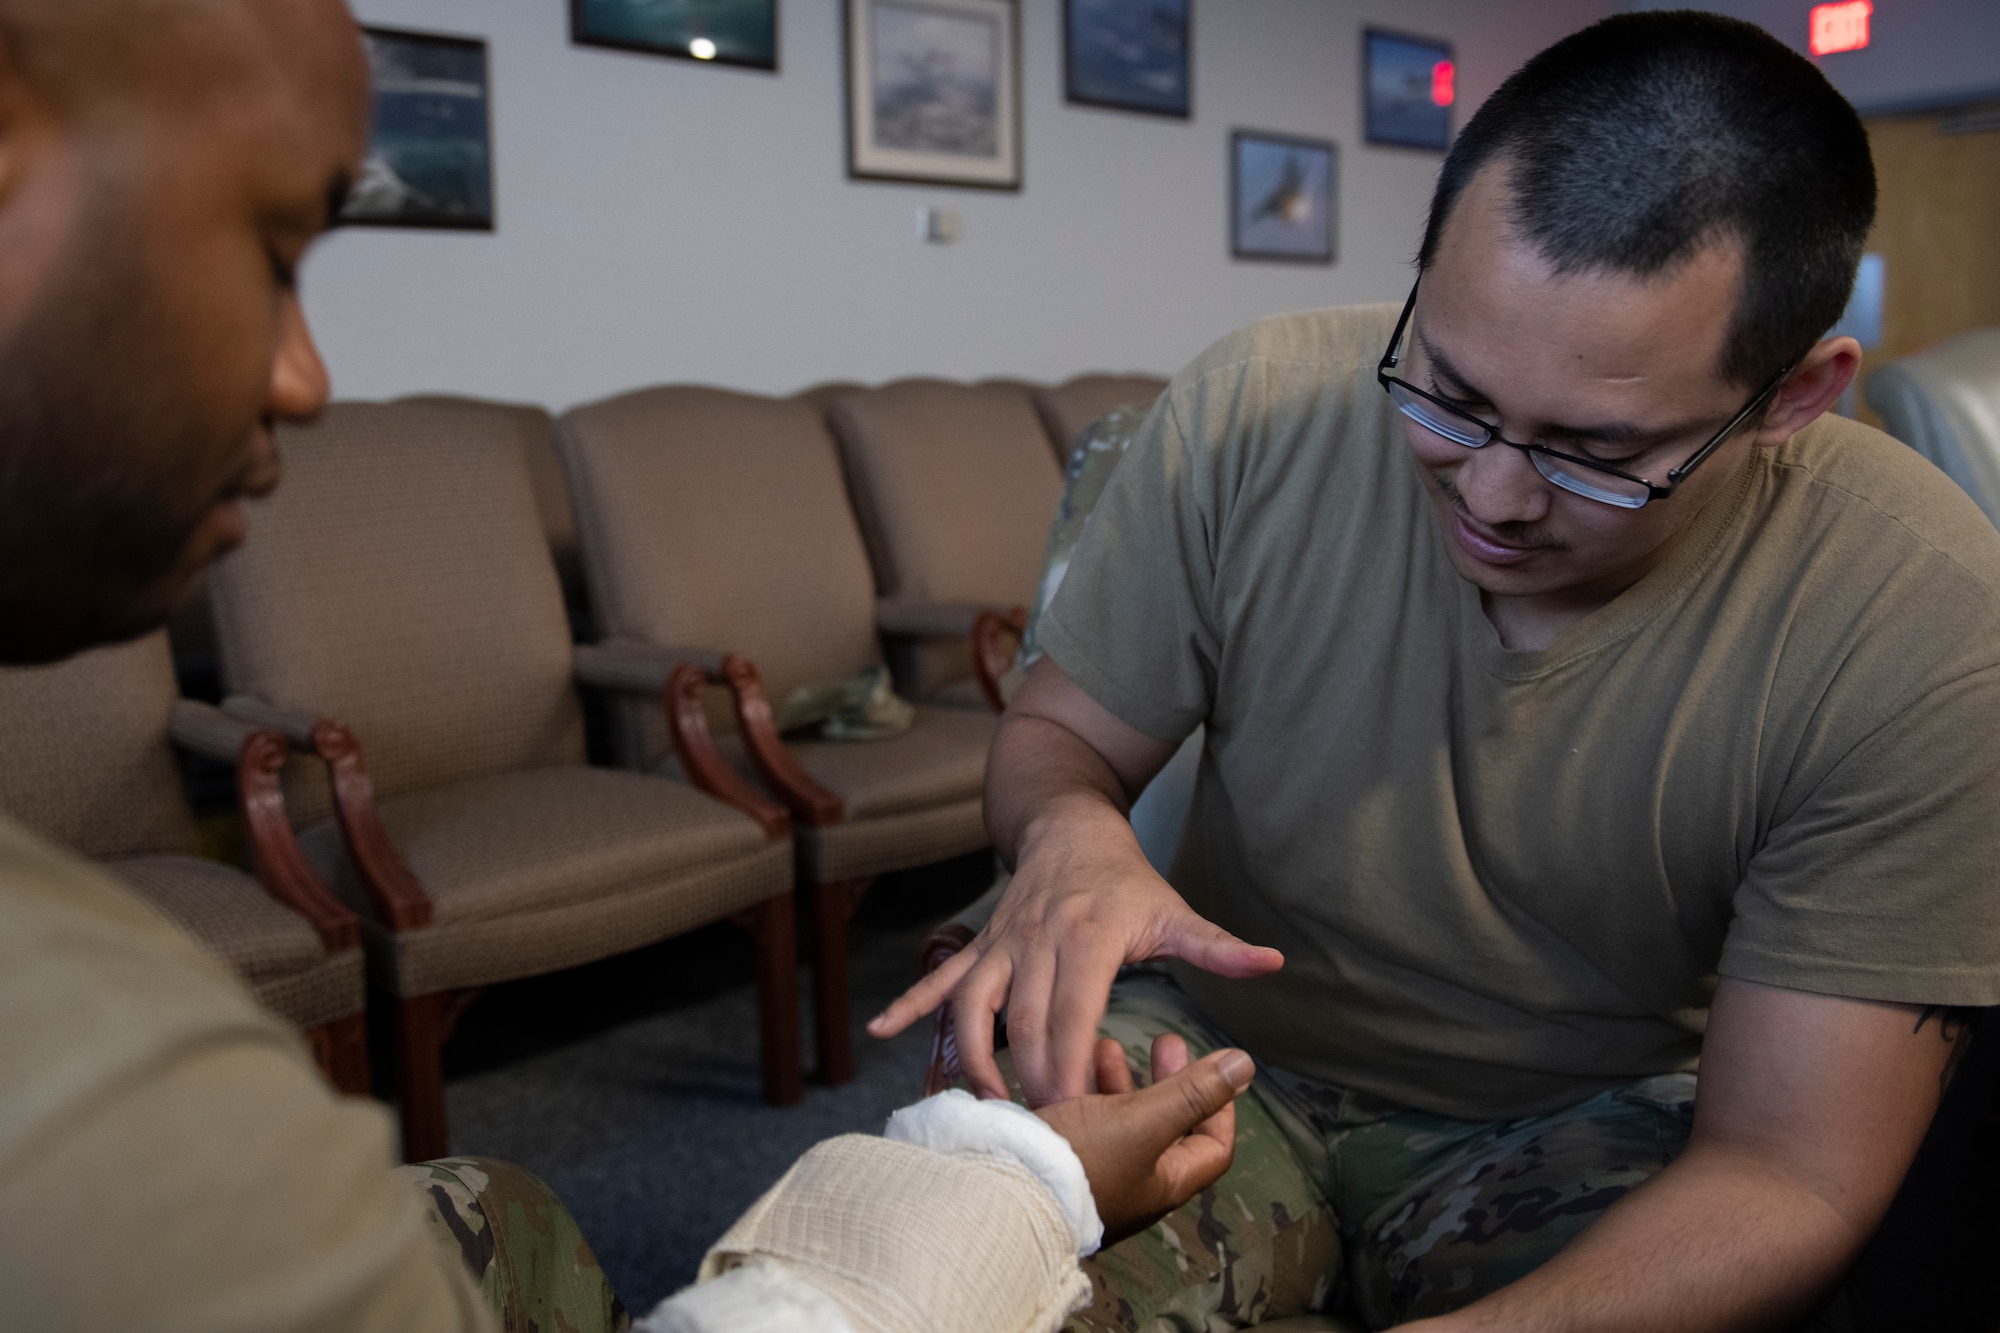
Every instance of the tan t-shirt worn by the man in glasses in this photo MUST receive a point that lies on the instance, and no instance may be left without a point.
(1507, 880)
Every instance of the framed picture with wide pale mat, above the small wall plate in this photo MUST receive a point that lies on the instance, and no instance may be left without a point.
(935, 93)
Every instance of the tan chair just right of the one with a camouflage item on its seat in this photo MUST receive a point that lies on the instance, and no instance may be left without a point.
(953, 487)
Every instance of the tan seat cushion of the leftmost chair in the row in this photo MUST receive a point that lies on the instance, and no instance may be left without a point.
(269, 946)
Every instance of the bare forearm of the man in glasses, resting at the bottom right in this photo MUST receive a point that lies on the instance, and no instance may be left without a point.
(1715, 1242)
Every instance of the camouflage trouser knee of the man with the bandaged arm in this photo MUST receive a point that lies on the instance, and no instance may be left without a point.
(521, 1246)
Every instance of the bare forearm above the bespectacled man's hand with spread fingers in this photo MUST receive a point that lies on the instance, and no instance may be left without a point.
(1041, 778)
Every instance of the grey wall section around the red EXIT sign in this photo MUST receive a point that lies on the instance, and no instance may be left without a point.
(1921, 53)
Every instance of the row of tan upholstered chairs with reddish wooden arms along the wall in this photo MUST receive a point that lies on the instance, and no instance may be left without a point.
(403, 627)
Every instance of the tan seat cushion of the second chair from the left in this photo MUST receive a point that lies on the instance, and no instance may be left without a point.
(541, 840)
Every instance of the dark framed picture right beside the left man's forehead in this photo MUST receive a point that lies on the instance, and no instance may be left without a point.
(431, 149)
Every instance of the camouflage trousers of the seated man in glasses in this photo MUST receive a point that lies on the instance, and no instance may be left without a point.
(1341, 1202)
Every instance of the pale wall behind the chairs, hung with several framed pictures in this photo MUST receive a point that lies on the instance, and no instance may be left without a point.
(669, 221)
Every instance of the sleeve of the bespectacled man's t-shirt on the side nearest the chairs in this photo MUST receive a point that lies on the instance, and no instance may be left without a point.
(1133, 623)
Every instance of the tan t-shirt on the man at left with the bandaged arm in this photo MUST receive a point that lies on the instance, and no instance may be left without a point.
(169, 1154)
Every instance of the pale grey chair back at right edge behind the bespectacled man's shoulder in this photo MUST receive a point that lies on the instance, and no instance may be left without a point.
(1945, 403)
